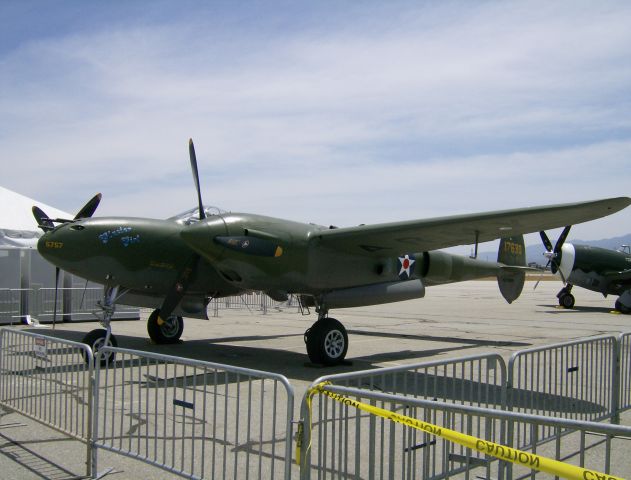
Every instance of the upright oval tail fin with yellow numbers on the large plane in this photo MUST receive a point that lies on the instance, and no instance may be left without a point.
(512, 273)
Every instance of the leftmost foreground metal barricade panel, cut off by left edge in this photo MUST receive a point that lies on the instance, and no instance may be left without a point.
(50, 380)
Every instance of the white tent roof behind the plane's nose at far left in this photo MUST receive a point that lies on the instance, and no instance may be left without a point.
(18, 227)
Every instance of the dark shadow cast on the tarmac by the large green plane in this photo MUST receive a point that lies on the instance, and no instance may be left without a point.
(292, 364)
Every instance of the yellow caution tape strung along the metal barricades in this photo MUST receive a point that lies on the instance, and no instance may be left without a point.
(530, 460)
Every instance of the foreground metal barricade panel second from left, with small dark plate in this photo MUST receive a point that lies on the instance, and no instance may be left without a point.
(194, 418)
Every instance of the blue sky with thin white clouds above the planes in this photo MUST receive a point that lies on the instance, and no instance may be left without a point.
(327, 112)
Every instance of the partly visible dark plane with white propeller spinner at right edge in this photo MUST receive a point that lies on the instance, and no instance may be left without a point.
(597, 269)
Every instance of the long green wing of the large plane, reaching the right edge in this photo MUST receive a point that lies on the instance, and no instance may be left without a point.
(443, 232)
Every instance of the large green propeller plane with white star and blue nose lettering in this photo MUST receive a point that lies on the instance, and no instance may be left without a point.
(177, 265)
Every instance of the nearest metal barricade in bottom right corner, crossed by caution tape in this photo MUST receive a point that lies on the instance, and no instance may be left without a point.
(591, 445)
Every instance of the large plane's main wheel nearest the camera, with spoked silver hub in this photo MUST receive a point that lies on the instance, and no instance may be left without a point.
(327, 342)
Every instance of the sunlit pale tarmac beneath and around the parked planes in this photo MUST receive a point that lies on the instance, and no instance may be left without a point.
(451, 321)
